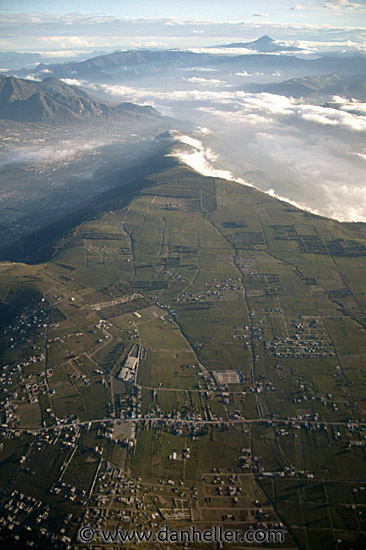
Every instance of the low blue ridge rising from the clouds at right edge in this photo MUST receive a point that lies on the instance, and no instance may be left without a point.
(353, 86)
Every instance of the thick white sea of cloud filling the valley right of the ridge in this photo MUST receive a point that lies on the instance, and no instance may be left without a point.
(311, 155)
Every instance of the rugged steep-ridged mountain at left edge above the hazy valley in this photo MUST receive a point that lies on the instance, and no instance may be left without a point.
(51, 101)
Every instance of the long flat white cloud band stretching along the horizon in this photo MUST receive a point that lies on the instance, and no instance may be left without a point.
(23, 31)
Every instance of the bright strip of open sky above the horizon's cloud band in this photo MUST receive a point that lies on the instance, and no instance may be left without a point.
(229, 10)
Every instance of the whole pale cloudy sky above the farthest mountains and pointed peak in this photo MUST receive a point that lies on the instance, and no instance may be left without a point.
(87, 25)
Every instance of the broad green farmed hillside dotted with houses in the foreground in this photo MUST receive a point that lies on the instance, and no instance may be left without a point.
(204, 325)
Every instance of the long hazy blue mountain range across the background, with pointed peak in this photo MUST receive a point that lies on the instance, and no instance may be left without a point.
(134, 65)
